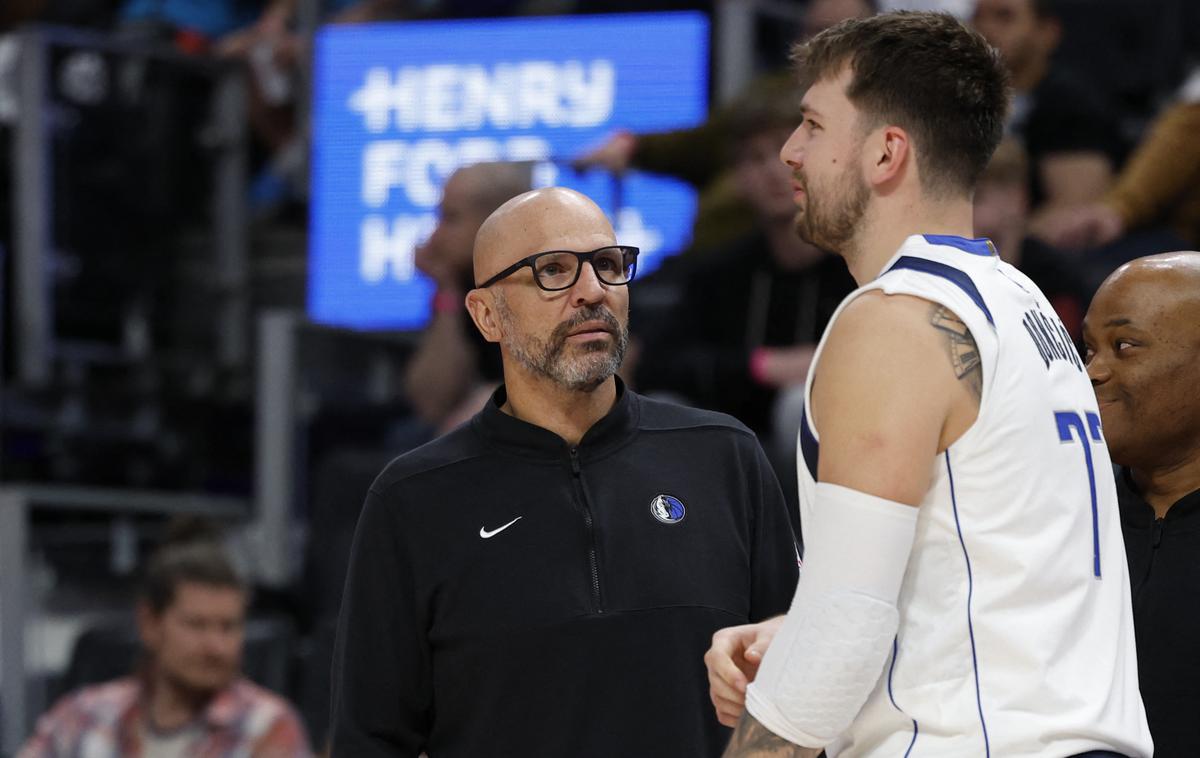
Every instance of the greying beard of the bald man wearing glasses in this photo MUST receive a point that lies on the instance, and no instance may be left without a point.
(581, 368)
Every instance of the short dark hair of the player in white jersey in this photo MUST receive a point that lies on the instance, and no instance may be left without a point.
(927, 74)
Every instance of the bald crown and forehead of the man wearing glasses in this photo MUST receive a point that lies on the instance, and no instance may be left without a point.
(533, 222)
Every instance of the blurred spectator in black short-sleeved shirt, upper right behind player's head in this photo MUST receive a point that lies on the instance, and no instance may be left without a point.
(1071, 136)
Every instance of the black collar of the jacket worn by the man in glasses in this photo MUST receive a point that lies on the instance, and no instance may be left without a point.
(513, 435)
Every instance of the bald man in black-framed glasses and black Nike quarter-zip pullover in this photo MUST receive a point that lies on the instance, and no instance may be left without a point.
(544, 580)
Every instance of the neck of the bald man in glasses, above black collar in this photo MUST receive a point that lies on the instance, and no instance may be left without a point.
(568, 413)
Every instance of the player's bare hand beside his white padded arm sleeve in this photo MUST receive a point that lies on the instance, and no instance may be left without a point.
(733, 665)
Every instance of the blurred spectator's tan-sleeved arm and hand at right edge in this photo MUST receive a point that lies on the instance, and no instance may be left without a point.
(1161, 184)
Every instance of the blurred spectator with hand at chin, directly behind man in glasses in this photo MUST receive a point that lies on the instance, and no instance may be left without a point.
(454, 370)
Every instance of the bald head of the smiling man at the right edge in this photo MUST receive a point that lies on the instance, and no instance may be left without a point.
(1143, 336)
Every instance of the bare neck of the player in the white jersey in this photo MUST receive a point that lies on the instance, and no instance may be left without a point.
(887, 226)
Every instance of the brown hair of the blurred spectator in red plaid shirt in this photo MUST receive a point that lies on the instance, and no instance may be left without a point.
(191, 554)
